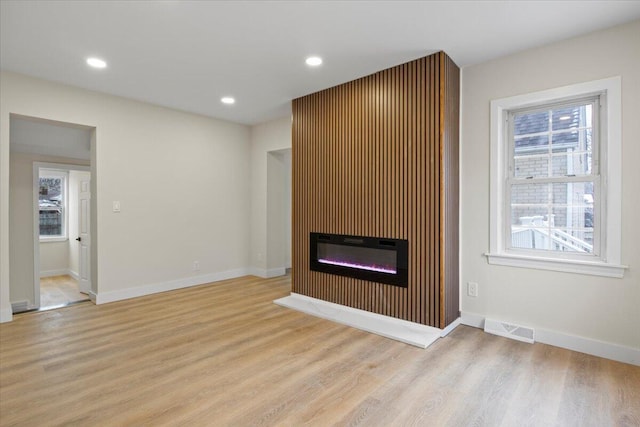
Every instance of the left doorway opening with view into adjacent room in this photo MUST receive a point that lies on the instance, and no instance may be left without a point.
(58, 148)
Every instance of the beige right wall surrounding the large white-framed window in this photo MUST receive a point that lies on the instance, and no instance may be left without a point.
(597, 308)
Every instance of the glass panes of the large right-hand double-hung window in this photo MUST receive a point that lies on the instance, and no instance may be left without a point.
(550, 208)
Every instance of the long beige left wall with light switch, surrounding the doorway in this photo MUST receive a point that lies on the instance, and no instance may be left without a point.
(182, 181)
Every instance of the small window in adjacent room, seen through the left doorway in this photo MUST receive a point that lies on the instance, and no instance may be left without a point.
(52, 205)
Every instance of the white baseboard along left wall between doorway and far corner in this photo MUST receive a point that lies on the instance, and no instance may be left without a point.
(138, 291)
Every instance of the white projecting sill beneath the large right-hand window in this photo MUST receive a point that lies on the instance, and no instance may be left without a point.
(564, 265)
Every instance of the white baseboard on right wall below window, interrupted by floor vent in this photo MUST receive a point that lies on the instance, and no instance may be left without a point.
(590, 346)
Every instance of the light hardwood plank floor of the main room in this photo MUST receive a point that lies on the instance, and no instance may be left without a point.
(224, 354)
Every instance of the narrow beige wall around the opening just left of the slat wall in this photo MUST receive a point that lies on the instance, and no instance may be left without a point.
(265, 138)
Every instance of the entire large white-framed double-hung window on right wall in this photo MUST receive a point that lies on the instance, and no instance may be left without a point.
(555, 180)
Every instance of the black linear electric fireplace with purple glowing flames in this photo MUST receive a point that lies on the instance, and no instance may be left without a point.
(367, 258)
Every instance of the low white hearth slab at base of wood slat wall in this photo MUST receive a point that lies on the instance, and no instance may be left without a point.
(402, 330)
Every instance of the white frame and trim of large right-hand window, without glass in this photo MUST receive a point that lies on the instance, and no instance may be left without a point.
(607, 263)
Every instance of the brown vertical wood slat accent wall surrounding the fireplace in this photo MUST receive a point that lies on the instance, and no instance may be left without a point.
(378, 157)
